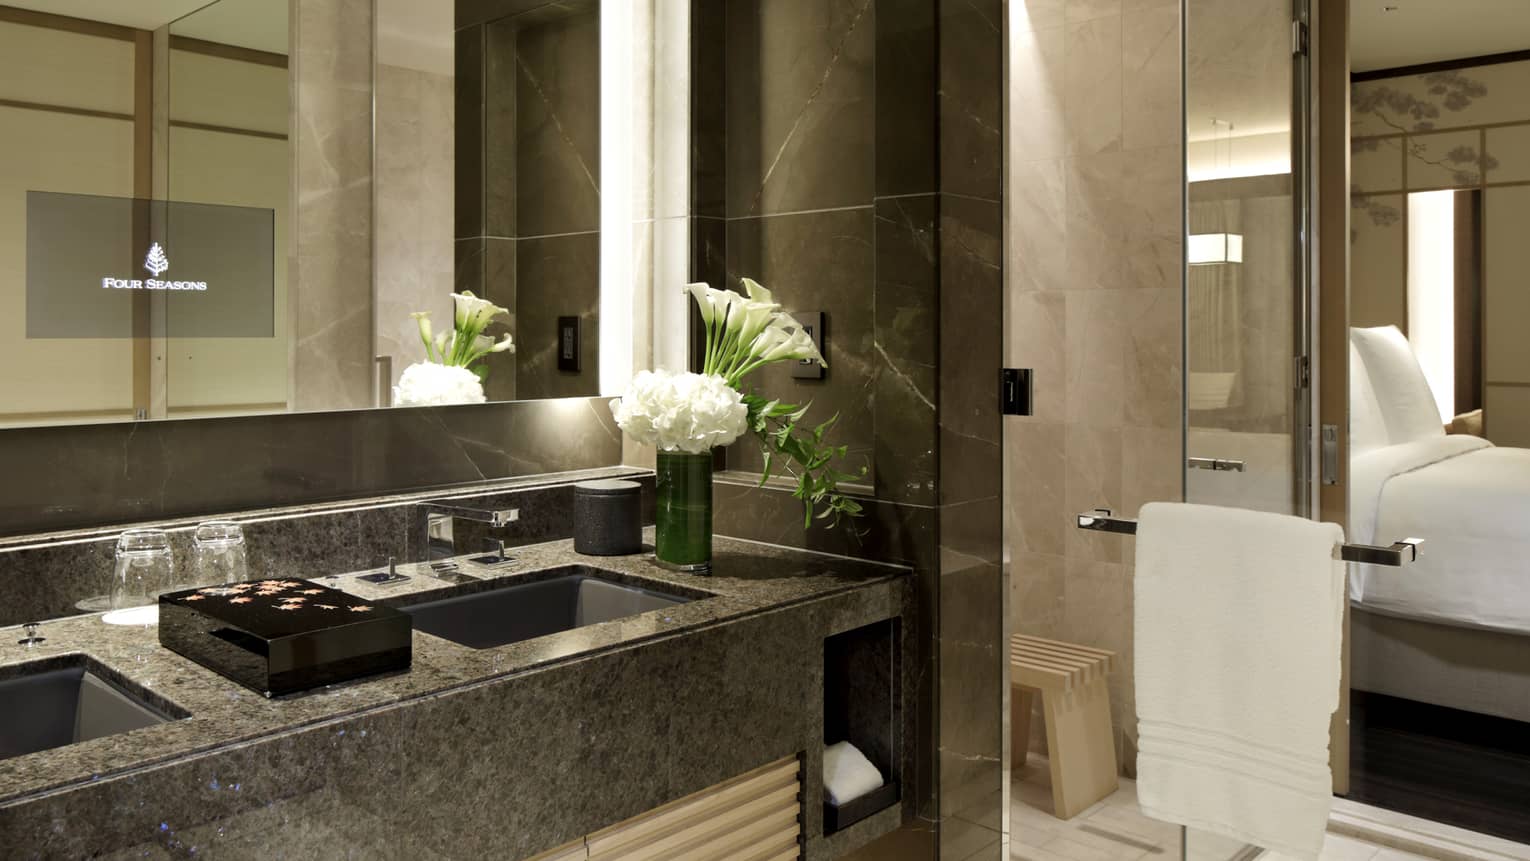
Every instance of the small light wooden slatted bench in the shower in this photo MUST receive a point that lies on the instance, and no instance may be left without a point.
(1076, 706)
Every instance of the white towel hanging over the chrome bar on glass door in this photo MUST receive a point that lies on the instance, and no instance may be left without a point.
(1237, 668)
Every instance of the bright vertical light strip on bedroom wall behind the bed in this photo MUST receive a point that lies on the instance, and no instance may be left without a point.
(1431, 291)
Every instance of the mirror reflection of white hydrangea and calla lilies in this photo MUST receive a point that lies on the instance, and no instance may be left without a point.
(452, 372)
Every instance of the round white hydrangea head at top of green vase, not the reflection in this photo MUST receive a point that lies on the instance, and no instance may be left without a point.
(682, 412)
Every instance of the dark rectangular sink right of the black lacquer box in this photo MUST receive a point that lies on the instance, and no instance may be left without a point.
(568, 599)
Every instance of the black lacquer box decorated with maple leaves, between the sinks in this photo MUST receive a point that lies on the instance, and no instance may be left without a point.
(281, 637)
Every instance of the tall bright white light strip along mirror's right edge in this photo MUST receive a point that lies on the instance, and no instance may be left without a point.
(617, 193)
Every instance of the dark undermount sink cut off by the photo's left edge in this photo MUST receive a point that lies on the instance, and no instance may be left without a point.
(50, 704)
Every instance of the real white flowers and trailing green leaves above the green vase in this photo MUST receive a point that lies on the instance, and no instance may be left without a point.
(695, 412)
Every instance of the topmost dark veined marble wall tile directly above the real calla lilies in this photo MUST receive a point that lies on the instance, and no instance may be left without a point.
(799, 105)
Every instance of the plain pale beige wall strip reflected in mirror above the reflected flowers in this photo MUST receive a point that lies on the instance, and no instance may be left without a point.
(414, 207)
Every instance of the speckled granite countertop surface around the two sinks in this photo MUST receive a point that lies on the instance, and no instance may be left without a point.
(747, 579)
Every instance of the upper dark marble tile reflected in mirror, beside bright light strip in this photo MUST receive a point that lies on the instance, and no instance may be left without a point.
(558, 126)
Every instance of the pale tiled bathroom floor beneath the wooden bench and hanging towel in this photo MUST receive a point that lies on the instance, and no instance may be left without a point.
(1118, 831)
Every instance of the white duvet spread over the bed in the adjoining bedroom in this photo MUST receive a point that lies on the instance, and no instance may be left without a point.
(1471, 502)
